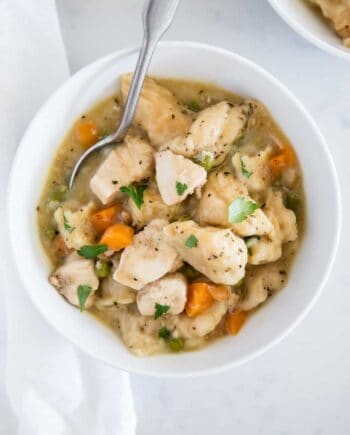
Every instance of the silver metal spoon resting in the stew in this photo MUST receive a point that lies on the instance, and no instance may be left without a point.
(157, 17)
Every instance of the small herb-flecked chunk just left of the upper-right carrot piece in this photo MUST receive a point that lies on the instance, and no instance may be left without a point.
(253, 170)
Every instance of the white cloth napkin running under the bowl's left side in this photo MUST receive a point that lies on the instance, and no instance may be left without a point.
(52, 387)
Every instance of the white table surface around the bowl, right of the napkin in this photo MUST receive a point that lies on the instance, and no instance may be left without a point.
(302, 386)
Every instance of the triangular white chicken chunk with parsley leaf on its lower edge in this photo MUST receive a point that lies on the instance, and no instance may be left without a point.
(177, 177)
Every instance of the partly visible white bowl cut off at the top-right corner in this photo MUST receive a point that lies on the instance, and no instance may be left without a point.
(305, 21)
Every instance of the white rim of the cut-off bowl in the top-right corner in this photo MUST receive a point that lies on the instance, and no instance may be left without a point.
(306, 34)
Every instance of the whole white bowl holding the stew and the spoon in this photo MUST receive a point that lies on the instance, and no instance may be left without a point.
(193, 61)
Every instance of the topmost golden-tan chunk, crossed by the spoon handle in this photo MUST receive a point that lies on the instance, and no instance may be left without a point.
(158, 112)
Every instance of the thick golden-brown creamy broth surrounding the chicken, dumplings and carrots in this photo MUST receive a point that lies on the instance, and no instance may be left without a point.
(260, 133)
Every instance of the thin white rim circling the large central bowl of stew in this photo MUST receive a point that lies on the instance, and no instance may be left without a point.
(325, 273)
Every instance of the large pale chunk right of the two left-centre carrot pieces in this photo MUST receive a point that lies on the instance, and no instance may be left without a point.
(148, 258)
